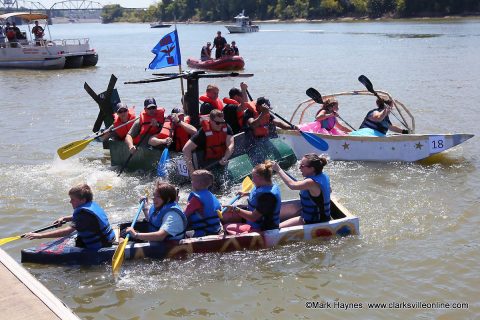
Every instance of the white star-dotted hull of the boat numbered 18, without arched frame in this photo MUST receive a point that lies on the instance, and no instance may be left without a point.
(408, 148)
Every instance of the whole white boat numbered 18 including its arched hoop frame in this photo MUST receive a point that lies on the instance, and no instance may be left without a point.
(392, 147)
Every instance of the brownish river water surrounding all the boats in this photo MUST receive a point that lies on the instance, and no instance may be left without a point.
(419, 221)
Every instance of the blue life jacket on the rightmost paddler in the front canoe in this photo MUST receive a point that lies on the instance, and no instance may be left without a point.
(310, 210)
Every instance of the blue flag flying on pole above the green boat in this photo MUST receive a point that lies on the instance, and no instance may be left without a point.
(167, 52)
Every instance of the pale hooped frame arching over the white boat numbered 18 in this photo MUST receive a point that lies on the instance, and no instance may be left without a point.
(399, 106)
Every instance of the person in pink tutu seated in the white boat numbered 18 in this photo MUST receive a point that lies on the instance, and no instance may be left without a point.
(326, 121)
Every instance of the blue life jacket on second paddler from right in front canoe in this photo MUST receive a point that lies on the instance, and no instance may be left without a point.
(265, 223)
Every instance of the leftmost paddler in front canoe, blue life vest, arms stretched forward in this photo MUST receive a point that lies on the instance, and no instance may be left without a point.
(88, 219)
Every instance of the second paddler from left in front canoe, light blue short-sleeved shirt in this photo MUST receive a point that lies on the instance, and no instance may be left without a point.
(165, 218)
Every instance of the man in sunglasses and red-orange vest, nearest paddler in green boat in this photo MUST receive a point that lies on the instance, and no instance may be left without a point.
(215, 139)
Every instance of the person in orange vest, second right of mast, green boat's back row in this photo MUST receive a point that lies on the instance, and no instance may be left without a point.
(235, 106)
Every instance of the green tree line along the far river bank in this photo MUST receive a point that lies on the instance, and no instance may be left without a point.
(224, 10)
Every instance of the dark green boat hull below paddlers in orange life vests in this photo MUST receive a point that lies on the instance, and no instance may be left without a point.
(240, 165)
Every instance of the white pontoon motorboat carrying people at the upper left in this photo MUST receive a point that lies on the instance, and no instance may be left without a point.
(28, 53)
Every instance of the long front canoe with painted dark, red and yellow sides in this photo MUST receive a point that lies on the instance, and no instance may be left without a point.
(63, 251)
